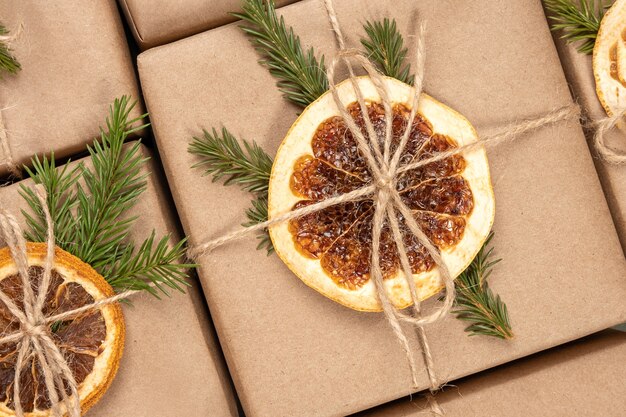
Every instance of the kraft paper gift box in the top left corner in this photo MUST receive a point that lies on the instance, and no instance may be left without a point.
(74, 61)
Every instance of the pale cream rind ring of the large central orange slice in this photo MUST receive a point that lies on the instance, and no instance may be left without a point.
(298, 144)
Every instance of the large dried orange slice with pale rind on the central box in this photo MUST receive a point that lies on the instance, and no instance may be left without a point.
(329, 250)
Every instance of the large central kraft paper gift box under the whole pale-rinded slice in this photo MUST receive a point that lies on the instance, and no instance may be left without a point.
(292, 351)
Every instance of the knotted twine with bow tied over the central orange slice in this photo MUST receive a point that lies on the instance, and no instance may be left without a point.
(385, 168)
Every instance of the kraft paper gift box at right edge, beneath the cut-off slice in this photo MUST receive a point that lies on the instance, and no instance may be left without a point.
(579, 71)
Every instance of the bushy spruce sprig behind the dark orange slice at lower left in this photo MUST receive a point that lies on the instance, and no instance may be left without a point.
(90, 209)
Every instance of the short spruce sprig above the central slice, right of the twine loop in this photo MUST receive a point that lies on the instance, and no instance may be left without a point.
(385, 47)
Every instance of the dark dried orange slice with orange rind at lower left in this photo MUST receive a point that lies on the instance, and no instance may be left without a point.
(91, 343)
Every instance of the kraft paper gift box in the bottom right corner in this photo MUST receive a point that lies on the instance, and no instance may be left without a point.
(564, 381)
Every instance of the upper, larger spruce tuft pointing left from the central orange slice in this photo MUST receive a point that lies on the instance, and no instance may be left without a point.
(223, 157)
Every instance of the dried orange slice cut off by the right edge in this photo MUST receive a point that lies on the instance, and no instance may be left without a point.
(609, 59)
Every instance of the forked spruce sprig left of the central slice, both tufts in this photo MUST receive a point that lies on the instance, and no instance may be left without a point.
(249, 166)
